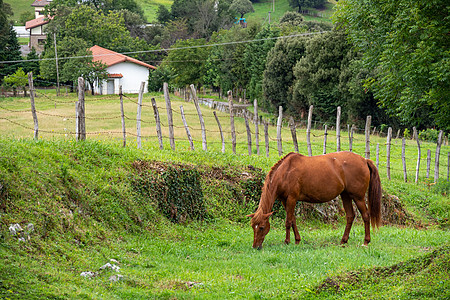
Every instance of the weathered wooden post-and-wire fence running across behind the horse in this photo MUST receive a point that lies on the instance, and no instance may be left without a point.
(283, 127)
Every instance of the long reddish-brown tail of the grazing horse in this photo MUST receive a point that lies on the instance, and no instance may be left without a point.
(374, 195)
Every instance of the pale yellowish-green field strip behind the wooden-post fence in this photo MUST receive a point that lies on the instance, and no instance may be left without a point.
(396, 156)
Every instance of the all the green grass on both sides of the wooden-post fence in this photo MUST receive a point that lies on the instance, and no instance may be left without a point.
(85, 211)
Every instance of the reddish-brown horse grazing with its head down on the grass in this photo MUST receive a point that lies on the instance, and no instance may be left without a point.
(319, 179)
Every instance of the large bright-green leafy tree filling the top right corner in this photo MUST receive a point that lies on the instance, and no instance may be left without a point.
(407, 43)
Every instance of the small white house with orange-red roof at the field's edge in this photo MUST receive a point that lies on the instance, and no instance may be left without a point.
(122, 70)
